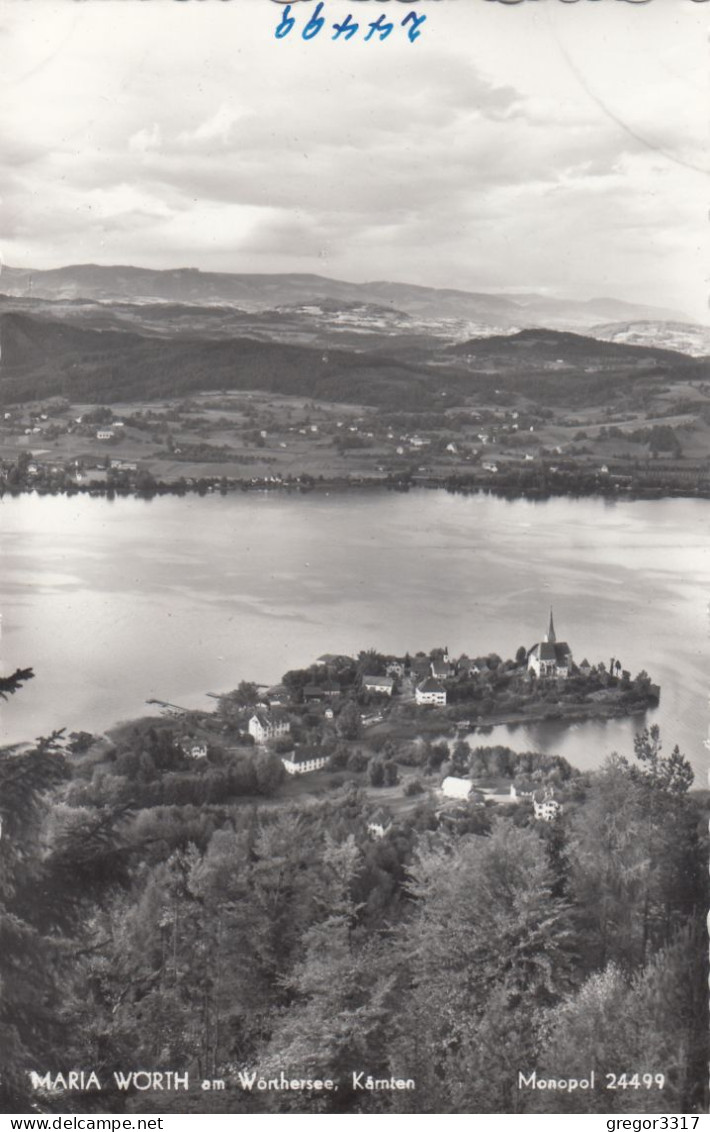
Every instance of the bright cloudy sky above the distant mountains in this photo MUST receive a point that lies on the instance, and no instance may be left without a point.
(548, 147)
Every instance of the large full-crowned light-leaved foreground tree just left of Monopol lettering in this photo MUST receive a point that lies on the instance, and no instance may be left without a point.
(490, 945)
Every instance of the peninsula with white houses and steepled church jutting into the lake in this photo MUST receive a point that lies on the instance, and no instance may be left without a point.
(400, 728)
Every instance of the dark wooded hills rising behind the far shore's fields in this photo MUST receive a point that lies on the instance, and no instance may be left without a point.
(46, 357)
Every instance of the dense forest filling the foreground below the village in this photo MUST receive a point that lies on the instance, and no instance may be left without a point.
(242, 936)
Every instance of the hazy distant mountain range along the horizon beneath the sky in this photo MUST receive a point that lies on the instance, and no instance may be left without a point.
(252, 293)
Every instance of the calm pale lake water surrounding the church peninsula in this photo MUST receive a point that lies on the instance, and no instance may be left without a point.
(116, 603)
